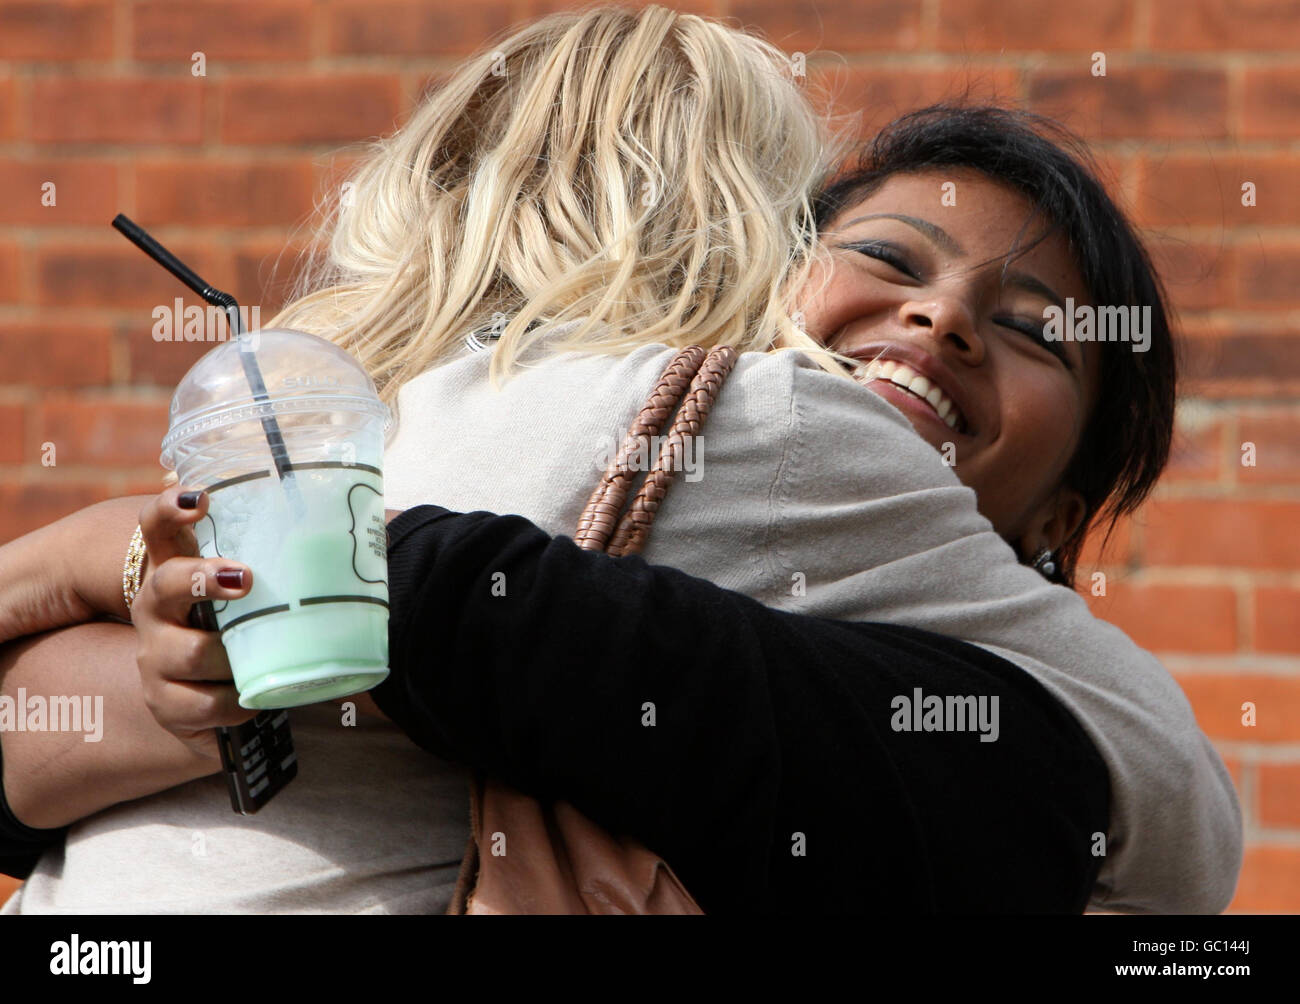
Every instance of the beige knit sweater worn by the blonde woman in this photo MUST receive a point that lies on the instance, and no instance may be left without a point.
(804, 478)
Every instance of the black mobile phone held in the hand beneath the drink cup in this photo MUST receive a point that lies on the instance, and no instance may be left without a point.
(258, 758)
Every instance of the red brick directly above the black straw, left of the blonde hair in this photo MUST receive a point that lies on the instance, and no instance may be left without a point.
(224, 194)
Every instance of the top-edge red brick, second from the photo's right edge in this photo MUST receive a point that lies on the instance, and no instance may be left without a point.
(987, 25)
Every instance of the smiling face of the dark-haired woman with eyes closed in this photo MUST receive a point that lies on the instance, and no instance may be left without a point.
(925, 296)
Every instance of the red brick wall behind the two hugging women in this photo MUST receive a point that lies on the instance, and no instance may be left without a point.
(1199, 97)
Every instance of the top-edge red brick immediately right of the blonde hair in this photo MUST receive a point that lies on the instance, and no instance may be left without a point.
(811, 25)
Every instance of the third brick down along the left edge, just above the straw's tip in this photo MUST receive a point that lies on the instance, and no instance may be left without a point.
(85, 192)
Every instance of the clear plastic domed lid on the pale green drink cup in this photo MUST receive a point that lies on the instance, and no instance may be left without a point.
(298, 373)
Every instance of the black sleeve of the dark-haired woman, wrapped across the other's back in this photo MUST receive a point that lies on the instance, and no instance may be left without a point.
(777, 776)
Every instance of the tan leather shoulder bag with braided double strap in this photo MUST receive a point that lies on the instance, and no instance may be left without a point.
(557, 860)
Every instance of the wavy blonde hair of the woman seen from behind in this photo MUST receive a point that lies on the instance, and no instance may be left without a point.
(647, 172)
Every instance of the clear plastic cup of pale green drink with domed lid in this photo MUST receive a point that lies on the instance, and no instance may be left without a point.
(296, 486)
